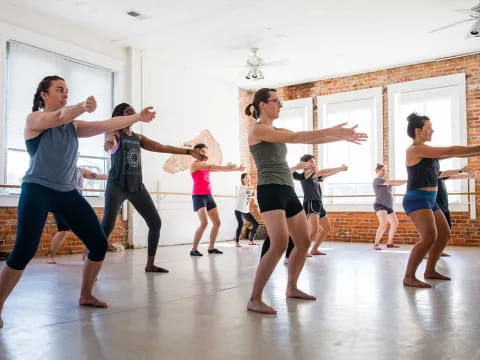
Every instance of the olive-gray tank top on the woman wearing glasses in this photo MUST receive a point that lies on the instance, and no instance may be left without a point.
(271, 162)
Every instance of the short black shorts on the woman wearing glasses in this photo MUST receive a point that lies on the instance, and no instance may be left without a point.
(278, 197)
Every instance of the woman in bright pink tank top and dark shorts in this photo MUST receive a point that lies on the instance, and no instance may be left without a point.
(203, 202)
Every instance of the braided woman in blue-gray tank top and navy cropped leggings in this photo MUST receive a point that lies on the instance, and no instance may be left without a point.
(49, 184)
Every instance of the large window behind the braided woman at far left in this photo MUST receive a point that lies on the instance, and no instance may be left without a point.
(26, 66)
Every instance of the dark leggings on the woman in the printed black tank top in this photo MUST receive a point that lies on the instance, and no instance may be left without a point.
(143, 203)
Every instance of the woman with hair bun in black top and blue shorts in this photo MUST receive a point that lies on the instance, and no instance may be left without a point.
(419, 201)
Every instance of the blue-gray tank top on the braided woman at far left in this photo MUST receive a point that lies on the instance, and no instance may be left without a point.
(53, 158)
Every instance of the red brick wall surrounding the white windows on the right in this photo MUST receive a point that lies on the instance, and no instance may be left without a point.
(361, 227)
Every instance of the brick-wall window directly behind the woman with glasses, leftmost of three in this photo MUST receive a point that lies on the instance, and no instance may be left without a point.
(296, 115)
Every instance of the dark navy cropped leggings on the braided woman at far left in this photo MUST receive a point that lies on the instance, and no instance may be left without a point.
(35, 202)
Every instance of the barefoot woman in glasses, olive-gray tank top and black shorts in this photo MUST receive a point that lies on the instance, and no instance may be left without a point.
(281, 210)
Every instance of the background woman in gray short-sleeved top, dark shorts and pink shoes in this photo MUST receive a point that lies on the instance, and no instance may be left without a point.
(383, 206)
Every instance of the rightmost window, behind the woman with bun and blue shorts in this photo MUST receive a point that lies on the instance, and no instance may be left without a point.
(442, 99)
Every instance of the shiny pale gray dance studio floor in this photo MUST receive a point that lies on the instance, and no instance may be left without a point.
(198, 310)
